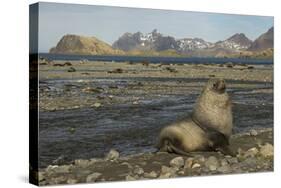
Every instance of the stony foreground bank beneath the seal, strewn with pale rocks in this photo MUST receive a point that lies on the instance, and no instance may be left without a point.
(255, 154)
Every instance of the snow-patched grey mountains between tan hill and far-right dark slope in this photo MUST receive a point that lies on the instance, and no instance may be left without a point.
(187, 46)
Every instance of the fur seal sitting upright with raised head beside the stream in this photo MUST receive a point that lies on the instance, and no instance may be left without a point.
(207, 129)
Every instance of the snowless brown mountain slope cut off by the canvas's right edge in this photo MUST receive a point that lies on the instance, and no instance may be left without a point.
(263, 42)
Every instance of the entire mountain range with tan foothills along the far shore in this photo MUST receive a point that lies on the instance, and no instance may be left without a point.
(156, 44)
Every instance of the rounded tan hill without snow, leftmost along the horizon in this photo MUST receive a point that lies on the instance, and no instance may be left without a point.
(75, 44)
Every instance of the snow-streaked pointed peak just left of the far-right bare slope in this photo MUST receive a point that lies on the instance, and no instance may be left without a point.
(236, 42)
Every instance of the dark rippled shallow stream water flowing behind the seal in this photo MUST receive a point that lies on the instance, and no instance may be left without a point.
(134, 128)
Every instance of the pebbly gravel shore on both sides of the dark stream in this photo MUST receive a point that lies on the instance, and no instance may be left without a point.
(98, 85)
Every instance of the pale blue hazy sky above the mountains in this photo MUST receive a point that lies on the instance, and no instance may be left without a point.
(109, 23)
